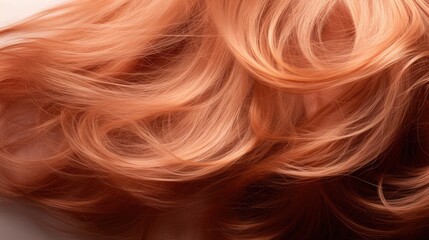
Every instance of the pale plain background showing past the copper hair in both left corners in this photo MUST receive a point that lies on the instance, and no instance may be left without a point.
(16, 222)
